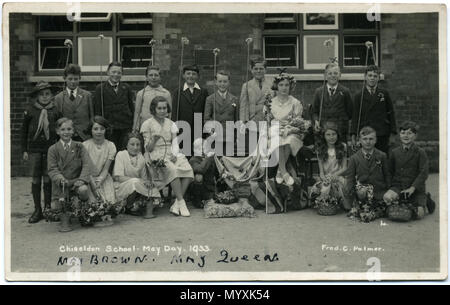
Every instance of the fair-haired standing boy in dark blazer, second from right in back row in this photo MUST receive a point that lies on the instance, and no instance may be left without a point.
(337, 103)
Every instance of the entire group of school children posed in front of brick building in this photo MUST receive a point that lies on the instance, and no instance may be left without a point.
(71, 140)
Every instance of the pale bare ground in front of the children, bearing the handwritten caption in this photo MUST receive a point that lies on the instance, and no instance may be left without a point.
(302, 241)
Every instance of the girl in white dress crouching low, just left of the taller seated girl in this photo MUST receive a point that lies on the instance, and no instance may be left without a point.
(132, 183)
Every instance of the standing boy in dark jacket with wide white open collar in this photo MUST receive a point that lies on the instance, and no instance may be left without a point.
(191, 101)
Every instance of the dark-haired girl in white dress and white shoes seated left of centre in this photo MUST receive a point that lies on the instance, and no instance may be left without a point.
(160, 143)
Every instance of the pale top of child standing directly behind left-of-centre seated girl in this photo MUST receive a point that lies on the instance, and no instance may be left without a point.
(143, 99)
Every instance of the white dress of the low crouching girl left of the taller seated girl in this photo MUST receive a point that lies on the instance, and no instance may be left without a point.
(133, 167)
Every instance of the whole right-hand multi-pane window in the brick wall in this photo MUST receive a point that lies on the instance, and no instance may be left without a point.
(309, 41)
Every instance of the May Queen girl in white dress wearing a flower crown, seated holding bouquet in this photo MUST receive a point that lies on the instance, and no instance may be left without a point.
(284, 137)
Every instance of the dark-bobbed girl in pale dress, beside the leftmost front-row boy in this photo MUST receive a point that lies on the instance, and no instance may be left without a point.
(102, 153)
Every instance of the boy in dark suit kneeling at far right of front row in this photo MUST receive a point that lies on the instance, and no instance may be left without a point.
(409, 169)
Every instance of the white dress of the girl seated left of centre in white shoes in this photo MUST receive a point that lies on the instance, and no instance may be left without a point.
(178, 169)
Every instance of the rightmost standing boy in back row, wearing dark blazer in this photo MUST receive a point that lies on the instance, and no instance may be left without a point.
(377, 111)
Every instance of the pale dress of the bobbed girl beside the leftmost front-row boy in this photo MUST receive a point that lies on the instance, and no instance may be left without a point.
(99, 155)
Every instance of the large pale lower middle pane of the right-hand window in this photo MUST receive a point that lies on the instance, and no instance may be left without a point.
(316, 53)
